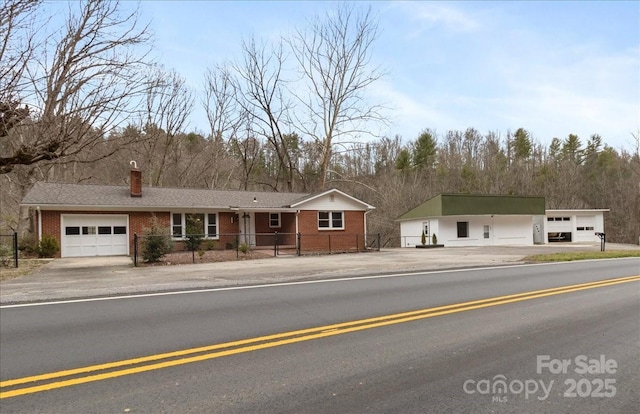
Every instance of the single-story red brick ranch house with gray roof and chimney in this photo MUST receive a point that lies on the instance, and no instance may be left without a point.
(101, 220)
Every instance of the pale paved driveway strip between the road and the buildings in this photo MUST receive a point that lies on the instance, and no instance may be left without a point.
(104, 276)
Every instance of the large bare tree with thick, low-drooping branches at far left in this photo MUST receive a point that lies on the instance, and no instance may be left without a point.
(80, 83)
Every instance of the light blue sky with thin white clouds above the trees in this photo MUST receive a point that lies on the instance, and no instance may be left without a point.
(554, 68)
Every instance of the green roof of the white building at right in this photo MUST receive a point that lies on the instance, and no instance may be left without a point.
(476, 204)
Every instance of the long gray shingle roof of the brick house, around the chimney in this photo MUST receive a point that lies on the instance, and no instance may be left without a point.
(85, 195)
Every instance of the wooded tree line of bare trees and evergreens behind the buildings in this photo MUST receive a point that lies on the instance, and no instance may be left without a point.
(78, 102)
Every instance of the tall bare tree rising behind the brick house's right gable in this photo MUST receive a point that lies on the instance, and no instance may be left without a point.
(334, 57)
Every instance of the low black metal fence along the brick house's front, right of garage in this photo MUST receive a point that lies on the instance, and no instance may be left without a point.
(278, 243)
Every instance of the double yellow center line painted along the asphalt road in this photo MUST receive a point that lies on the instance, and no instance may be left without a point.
(269, 341)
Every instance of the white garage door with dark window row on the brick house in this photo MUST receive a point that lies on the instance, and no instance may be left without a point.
(94, 235)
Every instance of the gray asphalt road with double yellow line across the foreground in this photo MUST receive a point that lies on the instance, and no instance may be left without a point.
(435, 359)
